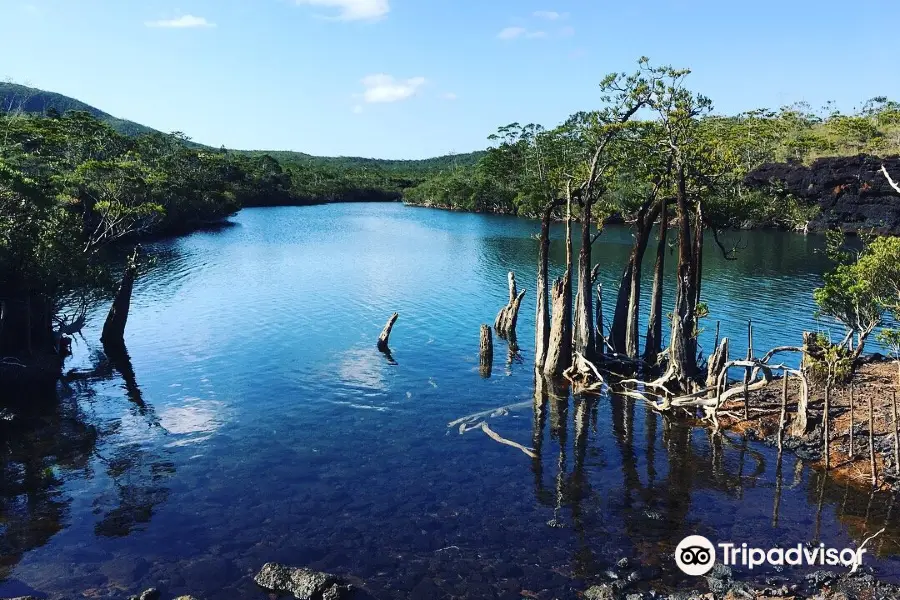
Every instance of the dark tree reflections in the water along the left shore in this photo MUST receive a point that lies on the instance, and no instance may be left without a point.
(51, 439)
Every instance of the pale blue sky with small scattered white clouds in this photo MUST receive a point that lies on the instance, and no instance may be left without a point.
(422, 78)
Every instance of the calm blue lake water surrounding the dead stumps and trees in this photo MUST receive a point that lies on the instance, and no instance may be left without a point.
(256, 421)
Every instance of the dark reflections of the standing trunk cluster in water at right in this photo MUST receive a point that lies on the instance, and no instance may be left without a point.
(665, 472)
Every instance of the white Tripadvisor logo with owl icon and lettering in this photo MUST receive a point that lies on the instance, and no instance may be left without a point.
(695, 555)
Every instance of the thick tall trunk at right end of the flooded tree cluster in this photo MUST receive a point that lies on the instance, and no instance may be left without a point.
(683, 344)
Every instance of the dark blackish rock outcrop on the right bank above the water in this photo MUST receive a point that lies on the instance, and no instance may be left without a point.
(852, 193)
